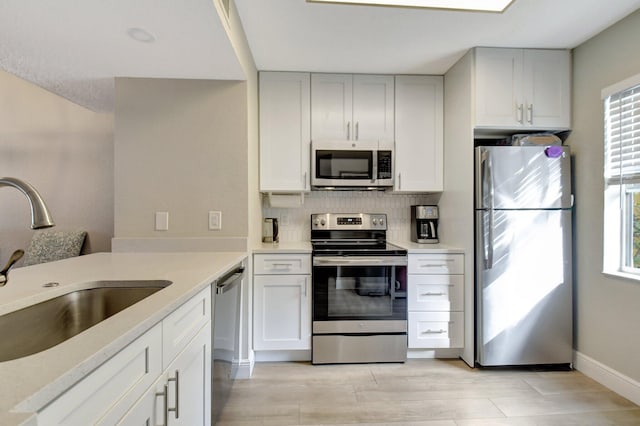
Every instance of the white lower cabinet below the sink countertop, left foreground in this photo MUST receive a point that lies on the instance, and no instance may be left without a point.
(173, 358)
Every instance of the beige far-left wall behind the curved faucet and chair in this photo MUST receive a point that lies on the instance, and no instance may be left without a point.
(66, 152)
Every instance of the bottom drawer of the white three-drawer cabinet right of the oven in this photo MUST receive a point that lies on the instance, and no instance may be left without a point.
(436, 329)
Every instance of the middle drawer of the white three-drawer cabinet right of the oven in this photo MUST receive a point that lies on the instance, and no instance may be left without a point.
(435, 292)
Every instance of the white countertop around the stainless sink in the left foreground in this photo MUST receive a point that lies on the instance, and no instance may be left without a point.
(31, 382)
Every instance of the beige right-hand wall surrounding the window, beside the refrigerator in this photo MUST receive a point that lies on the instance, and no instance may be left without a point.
(608, 309)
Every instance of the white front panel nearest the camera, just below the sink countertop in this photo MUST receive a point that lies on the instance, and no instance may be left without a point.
(111, 387)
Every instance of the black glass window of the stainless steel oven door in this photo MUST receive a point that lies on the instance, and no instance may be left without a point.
(356, 292)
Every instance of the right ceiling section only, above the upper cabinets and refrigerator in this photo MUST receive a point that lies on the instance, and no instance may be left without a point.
(290, 35)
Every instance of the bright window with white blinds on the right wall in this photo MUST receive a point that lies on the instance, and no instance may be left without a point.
(622, 178)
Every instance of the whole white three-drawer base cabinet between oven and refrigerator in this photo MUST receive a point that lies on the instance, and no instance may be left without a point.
(435, 300)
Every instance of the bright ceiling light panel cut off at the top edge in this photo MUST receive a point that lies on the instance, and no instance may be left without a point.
(476, 5)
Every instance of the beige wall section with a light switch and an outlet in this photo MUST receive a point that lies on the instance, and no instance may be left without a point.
(180, 147)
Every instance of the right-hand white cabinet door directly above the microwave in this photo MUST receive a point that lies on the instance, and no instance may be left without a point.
(373, 106)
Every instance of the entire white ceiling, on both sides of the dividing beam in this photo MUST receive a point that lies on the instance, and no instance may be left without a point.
(76, 48)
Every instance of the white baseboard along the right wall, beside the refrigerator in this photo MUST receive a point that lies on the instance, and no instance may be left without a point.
(607, 376)
